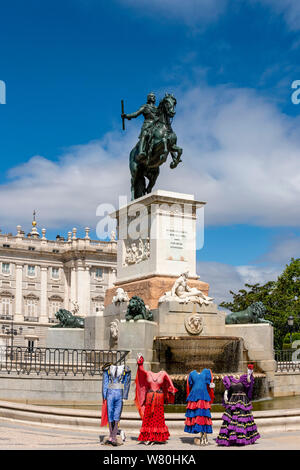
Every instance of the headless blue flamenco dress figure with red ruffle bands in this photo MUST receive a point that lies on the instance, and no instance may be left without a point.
(200, 396)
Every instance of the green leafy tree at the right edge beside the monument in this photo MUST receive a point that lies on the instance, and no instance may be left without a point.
(281, 299)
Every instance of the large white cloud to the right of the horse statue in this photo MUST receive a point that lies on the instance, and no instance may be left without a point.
(241, 155)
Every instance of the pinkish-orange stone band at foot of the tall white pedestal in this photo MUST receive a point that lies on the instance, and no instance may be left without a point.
(151, 288)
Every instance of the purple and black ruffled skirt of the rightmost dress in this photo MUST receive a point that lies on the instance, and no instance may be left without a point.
(238, 427)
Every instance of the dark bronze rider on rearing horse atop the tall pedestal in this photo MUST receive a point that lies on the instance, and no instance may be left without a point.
(157, 140)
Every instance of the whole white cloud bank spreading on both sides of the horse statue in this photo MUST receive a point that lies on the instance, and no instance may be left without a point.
(240, 154)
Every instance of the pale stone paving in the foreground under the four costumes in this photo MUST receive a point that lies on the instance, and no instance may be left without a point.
(19, 436)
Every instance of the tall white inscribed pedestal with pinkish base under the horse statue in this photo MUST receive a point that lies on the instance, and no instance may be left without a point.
(156, 243)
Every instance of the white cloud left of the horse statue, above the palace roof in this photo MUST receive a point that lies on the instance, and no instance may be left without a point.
(67, 192)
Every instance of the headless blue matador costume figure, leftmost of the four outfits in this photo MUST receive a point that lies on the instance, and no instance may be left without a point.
(115, 389)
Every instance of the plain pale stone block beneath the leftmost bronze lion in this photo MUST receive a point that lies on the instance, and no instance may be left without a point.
(65, 338)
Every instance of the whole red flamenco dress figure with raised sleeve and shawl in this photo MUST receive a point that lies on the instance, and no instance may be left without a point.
(152, 391)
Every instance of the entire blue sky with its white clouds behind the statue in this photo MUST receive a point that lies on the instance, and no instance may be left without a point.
(67, 65)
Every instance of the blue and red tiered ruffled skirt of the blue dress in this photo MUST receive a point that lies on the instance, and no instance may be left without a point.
(198, 417)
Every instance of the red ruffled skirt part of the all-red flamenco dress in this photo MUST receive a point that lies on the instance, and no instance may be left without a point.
(153, 425)
